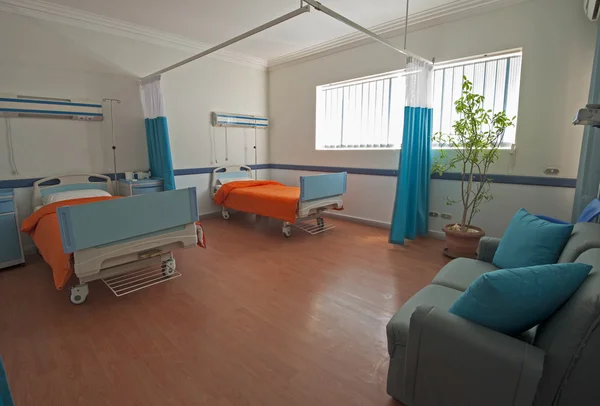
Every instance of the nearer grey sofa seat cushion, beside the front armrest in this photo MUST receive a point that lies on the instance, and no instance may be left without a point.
(432, 295)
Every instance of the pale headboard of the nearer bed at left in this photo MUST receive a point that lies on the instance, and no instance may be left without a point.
(65, 183)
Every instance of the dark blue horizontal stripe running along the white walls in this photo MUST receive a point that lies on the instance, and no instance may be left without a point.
(503, 179)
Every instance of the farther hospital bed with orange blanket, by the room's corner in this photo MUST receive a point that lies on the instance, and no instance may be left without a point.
(316, 194)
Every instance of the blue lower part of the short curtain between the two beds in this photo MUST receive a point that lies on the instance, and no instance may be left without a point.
(159, 150)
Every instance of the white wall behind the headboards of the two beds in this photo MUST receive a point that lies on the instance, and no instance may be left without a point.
(47, 59)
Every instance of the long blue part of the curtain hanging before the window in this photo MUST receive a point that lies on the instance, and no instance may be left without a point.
(411, 207)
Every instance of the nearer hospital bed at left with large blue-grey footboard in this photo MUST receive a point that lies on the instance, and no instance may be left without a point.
(111, 236)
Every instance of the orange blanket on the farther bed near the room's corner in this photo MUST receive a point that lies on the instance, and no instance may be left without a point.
(264, 197)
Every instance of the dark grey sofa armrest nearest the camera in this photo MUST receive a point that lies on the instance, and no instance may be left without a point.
(452, 361)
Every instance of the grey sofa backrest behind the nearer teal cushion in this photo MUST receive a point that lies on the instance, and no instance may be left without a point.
(571, 340)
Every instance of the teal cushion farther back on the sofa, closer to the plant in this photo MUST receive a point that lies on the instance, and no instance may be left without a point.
(530, 241)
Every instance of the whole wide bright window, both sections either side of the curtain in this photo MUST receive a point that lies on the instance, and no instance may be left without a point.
(368, 113)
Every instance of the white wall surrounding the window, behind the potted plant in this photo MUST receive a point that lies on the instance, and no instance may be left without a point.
(558, 46)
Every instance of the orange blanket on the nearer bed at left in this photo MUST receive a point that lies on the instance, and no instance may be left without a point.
(43, 227)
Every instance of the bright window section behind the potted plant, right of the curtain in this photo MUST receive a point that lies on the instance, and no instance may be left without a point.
(497, 78)
